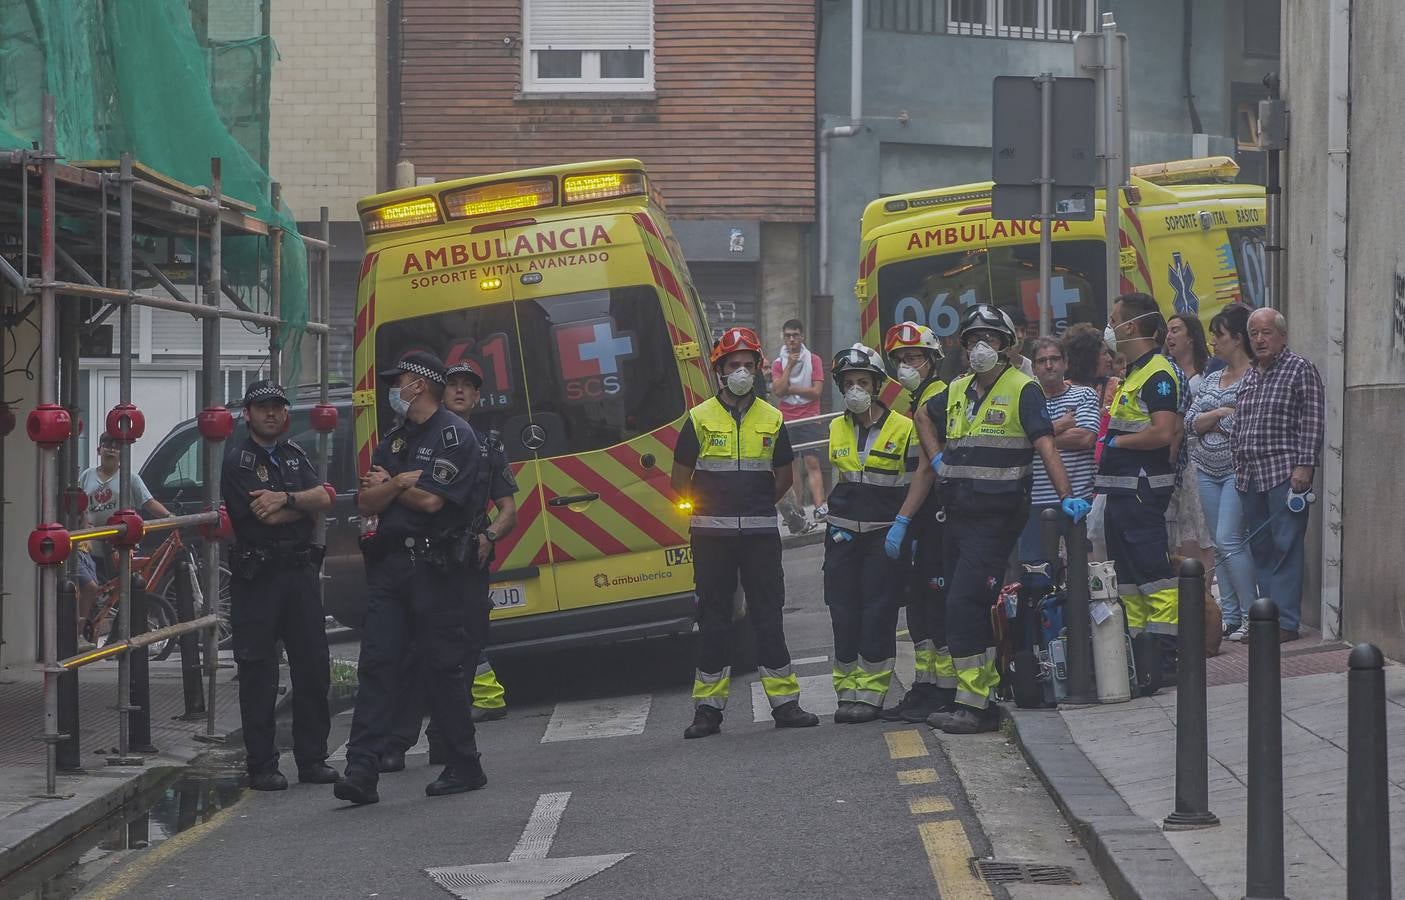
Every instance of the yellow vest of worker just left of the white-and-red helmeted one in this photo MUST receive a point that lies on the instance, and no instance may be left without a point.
(869, 489)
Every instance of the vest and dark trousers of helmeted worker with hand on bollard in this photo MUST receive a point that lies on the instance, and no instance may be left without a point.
(984, 479)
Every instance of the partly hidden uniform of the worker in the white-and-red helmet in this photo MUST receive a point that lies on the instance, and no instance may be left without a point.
(935, 677)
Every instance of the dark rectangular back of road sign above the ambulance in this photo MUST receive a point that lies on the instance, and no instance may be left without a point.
(1018, 141)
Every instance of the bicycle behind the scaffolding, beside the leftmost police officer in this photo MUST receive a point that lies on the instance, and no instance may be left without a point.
(155, 576)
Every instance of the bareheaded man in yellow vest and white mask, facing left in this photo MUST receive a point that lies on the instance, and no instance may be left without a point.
(1137, 475)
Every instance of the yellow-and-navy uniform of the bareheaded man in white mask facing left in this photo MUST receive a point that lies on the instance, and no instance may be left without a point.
(1139, 485)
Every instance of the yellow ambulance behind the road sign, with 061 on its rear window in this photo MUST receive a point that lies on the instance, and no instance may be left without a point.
(1189, 237)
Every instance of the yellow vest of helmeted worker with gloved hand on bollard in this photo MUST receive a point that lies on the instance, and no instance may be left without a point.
(987, 449)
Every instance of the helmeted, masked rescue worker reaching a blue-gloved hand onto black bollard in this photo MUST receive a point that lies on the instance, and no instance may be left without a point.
(983, 435)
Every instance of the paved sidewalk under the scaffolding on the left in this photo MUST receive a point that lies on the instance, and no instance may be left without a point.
(33, 826)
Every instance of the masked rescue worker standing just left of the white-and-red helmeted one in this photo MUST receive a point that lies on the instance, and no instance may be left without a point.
(875, 454)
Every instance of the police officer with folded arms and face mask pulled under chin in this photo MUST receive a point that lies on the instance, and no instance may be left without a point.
(422, 489)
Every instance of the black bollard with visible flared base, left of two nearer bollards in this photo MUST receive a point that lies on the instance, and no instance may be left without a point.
(1192, 722)
